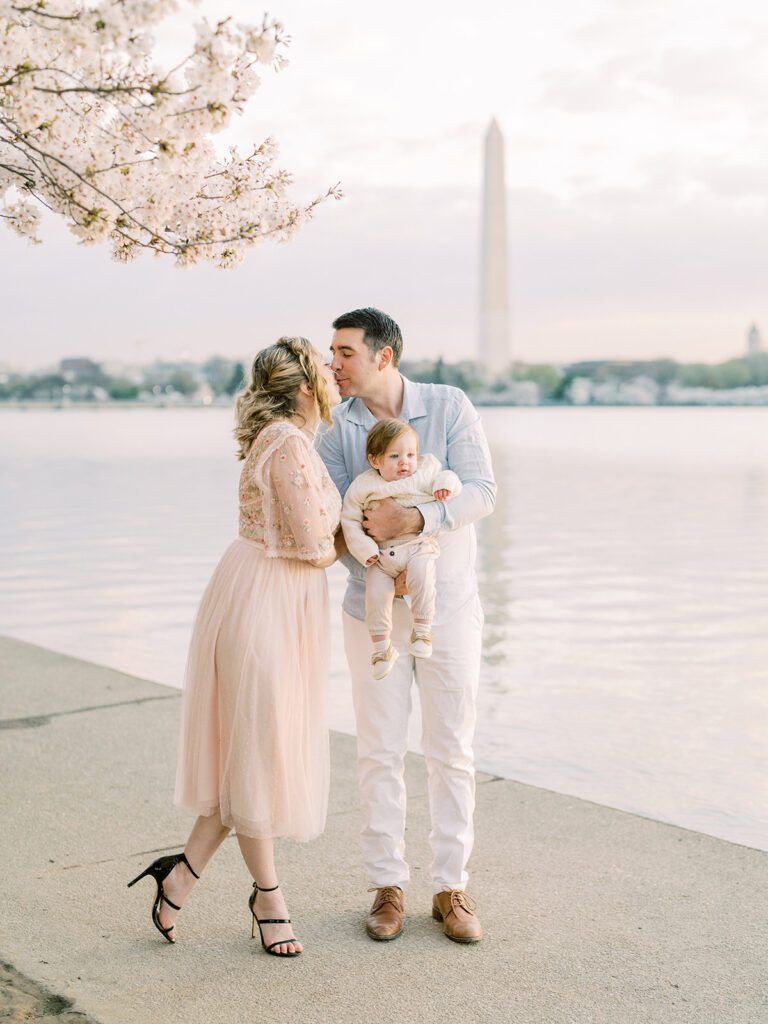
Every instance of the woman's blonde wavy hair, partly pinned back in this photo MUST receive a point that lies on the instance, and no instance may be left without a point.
(277, 374)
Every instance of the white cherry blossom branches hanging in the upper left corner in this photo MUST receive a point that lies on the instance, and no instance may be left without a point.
(122, 149)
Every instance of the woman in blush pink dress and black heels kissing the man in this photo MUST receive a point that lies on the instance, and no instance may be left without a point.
(254, 752)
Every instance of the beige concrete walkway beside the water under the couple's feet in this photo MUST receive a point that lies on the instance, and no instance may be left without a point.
(591, 915)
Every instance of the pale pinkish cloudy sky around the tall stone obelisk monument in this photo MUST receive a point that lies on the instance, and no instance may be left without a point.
(637, 174)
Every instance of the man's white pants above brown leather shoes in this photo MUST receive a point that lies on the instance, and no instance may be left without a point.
(448, 688)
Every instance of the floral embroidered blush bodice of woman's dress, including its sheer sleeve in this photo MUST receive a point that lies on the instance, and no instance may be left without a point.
(288, 503)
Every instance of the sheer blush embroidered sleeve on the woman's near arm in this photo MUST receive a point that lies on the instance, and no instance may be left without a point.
(298, 522)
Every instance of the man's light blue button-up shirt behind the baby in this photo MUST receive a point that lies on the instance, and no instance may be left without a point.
(450, 429)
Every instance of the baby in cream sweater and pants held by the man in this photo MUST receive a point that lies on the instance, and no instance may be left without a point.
(399, 473)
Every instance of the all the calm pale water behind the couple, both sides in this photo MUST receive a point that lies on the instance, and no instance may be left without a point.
(625, 578)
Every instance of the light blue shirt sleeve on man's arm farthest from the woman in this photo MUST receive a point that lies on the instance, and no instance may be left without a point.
(468, 456)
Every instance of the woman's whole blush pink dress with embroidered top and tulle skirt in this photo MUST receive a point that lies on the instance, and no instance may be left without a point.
(254, 733)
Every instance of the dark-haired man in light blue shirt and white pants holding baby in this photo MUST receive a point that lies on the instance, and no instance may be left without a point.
(367, 348)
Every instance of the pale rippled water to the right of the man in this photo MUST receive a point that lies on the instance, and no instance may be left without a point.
(629, 601)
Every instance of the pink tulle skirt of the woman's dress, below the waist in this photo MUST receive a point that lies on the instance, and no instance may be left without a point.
(254, 732)
